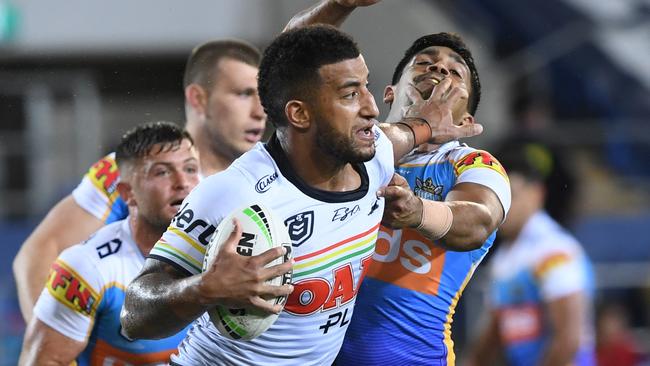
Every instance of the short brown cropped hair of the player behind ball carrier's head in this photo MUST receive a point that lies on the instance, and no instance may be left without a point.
(201, 64)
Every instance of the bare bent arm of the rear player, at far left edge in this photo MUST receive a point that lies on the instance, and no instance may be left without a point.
(66, 224)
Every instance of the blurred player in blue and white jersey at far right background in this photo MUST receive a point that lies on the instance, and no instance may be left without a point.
(541, 282)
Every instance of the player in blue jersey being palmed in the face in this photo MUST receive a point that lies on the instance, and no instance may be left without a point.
(440, 219)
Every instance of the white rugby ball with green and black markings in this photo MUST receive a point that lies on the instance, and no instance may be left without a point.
(261, 231)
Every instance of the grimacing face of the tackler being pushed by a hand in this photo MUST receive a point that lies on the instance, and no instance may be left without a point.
(426, 70)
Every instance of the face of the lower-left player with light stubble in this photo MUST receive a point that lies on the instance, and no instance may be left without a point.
(163, 180)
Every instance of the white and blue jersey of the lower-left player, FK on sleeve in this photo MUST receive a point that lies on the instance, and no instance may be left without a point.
(84, 295)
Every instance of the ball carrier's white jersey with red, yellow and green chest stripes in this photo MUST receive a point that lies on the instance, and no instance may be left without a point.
(333, 236)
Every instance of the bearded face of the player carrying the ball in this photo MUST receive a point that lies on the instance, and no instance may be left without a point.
(345, 112)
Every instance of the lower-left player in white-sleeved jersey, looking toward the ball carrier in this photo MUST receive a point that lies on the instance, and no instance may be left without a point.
(77, 315)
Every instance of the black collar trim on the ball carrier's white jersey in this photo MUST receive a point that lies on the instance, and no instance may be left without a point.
(280, 158)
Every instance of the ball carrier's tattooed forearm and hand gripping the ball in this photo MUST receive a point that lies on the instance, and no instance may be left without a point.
(162, 300)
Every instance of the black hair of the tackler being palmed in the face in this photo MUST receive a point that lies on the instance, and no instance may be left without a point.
(455, 43)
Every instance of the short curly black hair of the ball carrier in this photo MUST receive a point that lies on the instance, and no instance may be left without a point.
(289, 67)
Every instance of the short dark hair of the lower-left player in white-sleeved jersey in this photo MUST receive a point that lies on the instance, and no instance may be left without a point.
(139, 141)
